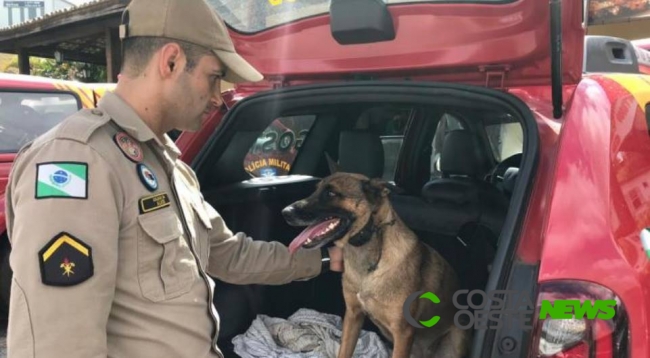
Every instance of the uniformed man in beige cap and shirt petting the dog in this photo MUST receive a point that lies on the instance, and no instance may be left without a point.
(112, 242)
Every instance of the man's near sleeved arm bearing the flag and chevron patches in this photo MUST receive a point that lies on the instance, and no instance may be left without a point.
(64, 206)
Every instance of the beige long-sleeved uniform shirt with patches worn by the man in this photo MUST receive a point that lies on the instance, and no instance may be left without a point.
(111, 241)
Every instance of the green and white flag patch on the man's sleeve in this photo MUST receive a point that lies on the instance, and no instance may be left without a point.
(62, 180)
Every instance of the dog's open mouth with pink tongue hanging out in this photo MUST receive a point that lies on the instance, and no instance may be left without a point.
(320, 233)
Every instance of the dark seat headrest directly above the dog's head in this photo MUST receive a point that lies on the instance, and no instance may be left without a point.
(361, 153)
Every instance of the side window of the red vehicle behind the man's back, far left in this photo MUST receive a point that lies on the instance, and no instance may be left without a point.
(26, 115)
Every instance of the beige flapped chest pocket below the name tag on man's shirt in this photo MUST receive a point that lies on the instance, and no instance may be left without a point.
(166, 265)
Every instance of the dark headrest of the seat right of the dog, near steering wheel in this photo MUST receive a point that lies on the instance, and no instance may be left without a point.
(461, 155)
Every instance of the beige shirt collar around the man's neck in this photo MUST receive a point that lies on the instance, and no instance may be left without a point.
(128, 119)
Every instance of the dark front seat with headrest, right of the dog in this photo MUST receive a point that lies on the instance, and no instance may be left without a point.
(459, 215)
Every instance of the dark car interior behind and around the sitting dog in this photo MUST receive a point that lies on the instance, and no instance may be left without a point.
(455, 170)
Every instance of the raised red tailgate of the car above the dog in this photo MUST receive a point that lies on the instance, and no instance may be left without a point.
(485, 42)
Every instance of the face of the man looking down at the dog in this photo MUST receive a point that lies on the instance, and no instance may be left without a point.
(197, 94)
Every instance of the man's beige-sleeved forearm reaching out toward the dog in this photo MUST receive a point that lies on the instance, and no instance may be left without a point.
(238, 259)
